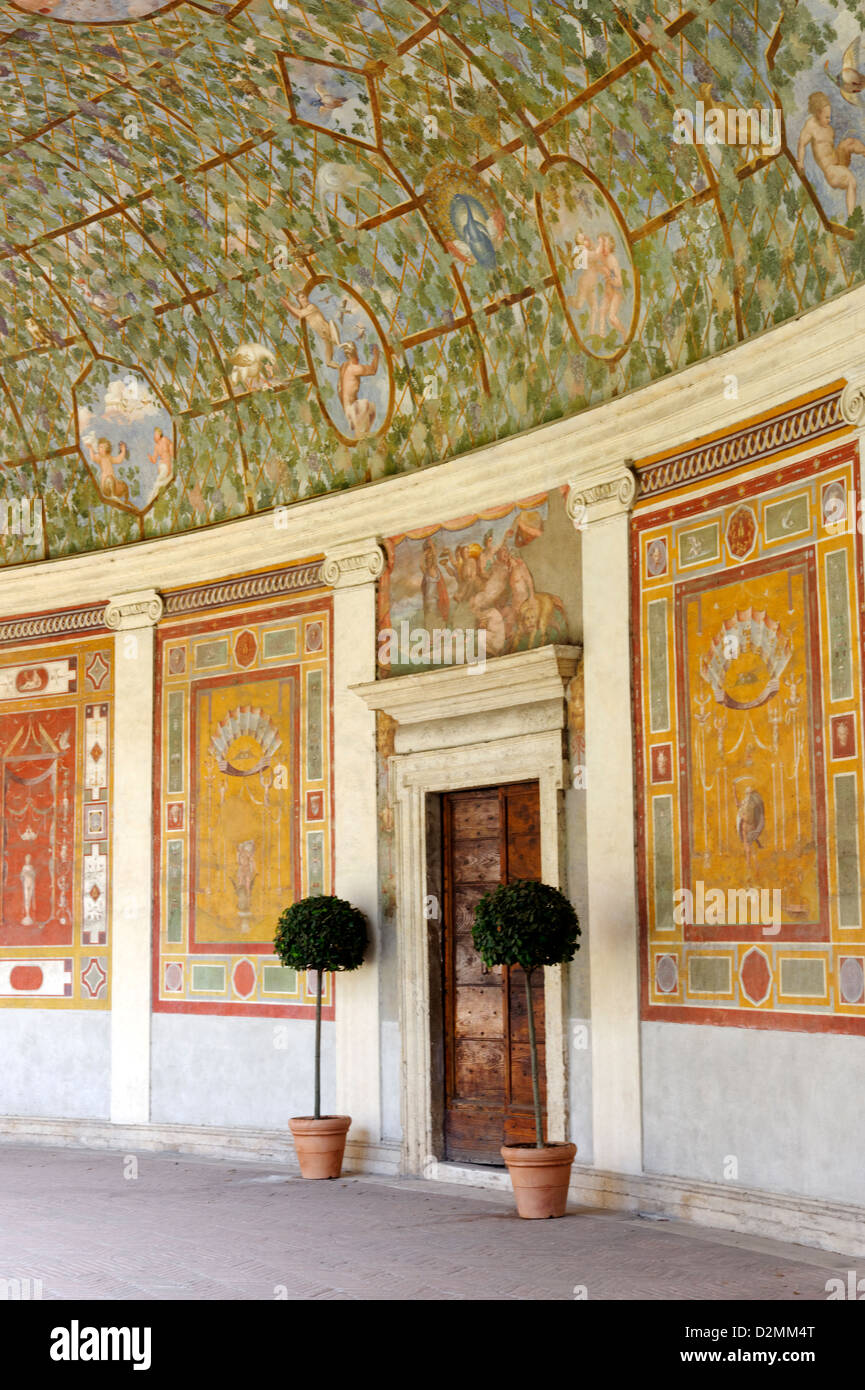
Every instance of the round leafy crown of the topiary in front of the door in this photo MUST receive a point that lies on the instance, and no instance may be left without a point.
(525, 924)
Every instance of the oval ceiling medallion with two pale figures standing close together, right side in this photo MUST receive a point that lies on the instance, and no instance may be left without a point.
(588, 247)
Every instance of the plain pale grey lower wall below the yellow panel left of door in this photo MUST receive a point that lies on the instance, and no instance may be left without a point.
(237, 1072)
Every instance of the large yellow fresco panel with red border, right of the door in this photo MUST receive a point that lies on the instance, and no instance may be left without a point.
(749, 591)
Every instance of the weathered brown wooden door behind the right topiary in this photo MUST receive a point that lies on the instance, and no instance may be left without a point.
(490, 836)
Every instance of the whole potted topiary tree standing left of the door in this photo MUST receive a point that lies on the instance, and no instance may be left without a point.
(322, 935)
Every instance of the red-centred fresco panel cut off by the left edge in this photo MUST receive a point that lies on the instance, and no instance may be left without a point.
(56, 732)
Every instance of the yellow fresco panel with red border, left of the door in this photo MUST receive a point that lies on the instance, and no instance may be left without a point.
(243, 803)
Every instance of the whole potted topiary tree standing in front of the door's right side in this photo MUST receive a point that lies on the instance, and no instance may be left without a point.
(532, 925)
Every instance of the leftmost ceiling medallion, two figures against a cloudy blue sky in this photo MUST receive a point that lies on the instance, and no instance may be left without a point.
(126, 434)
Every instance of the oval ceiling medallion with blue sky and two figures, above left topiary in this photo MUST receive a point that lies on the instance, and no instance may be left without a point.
(348, 359)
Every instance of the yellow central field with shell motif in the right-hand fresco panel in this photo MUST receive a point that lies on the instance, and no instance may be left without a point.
(752, 710)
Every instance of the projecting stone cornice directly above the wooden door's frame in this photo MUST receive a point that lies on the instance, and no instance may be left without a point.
(457, 692)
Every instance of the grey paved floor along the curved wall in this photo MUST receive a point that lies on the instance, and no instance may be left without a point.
(98, 1225)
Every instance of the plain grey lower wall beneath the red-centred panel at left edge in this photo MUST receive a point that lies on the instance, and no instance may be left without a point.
(56, 1064)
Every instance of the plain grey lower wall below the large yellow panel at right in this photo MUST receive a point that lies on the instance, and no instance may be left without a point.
(785, 1106)
